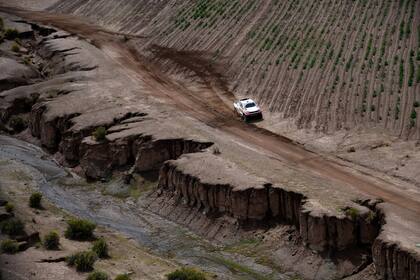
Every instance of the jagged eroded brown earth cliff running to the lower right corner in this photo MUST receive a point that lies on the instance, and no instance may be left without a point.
(251, 201)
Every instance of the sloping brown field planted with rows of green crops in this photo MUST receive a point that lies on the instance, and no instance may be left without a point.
(327, 65)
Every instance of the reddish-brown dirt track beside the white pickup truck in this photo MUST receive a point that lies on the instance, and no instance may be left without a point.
(209, 108)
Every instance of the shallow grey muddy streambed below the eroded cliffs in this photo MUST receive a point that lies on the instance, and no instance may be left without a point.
(160, 236)
